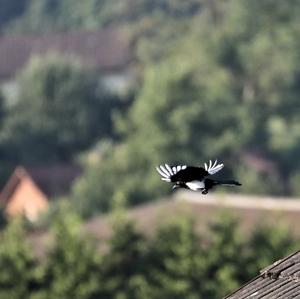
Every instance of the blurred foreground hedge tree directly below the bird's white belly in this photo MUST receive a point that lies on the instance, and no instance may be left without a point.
(176, 261)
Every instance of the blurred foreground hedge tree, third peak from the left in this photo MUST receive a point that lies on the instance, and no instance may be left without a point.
(124, 266)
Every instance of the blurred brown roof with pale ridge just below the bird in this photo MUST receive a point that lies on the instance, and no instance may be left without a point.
(250, 211)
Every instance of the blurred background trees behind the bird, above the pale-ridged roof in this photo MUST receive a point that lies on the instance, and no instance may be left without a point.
(218, 80)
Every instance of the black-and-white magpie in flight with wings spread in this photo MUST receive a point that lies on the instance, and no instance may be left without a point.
(194, 178)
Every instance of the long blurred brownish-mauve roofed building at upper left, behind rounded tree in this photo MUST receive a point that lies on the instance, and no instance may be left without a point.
(107, 51)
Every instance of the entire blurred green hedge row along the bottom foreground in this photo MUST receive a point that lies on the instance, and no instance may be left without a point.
(174, 263)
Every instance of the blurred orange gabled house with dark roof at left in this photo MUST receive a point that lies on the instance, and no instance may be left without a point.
(28, 192)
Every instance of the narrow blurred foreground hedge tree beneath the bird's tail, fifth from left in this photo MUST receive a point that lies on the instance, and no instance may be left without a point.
(223, 270)
